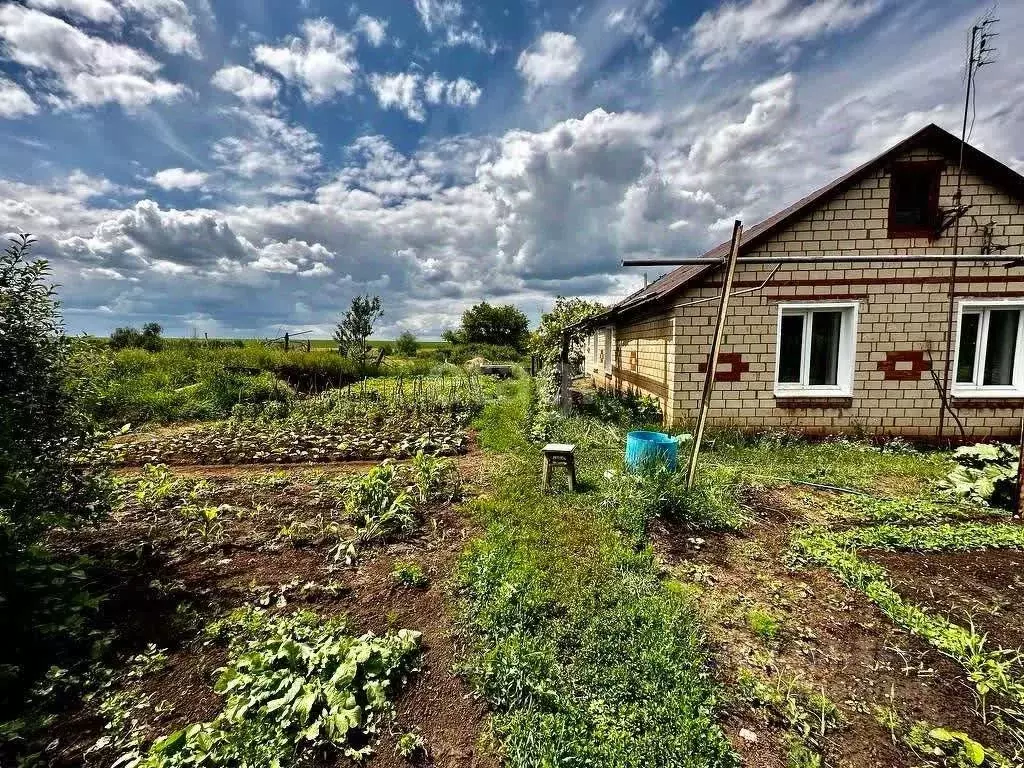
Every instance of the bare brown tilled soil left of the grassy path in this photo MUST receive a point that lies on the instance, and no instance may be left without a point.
(148, 585)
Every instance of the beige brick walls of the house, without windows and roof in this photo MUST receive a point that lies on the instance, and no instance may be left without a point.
(901, 329)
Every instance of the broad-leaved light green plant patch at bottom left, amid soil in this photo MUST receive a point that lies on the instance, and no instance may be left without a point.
(293, 687)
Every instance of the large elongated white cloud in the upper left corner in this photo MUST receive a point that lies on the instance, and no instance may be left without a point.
(87, 71)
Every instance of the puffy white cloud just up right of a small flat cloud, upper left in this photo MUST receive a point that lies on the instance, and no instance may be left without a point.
(322, 62)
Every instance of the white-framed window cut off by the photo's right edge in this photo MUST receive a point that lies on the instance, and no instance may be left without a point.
(990, 350)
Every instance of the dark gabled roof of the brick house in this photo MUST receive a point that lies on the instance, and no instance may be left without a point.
(931, 137)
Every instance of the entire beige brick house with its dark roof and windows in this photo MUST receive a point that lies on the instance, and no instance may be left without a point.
(848, 347)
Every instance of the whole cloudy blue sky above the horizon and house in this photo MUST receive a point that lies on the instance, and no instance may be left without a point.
(239, 168)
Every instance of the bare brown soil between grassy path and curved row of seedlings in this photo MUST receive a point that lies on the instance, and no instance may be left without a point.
(833, 641)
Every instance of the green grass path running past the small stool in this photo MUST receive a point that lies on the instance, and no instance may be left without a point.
(586, 657)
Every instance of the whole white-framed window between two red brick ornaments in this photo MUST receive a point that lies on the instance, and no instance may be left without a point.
(815, 350)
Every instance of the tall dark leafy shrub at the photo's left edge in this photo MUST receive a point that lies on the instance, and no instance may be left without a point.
(46, 480)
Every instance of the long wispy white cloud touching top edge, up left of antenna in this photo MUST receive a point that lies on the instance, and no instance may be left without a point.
(729, 32)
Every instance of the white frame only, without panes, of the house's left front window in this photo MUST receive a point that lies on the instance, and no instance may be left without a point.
(847, 351)
